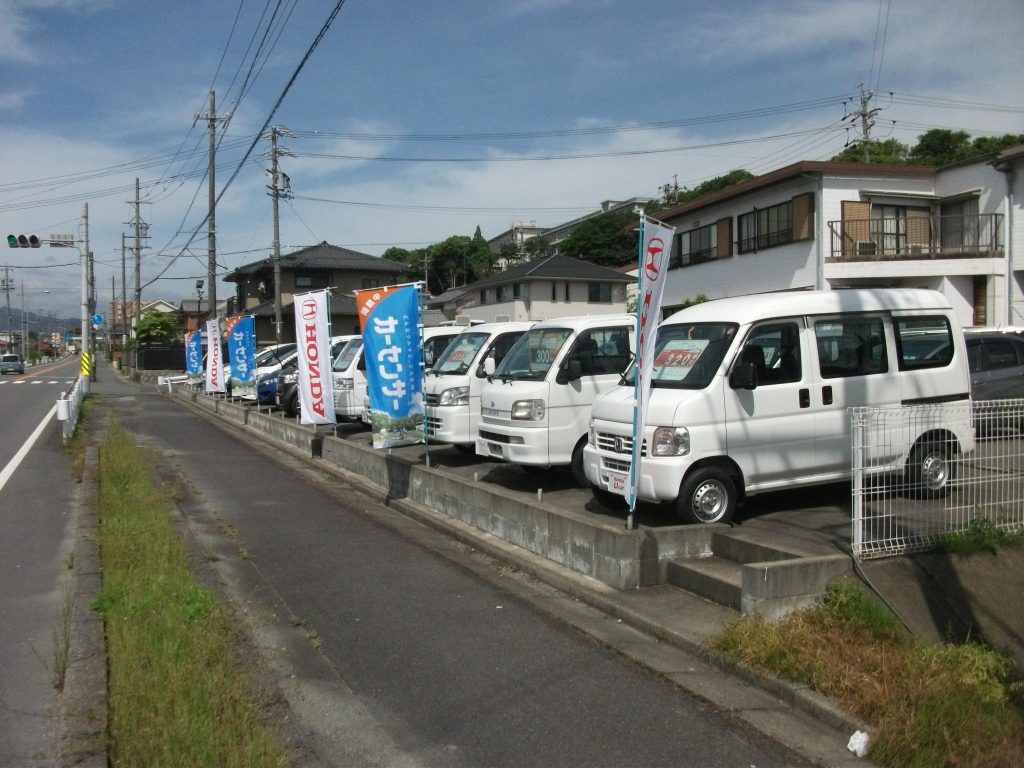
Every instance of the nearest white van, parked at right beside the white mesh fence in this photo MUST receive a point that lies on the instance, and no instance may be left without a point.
(750, 395)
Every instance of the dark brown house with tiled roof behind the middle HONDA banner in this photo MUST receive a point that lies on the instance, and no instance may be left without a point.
(308, 270)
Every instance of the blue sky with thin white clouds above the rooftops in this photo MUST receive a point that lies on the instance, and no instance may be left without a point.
(413, 121)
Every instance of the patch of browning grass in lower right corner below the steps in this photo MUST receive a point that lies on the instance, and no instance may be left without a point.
(928, 705)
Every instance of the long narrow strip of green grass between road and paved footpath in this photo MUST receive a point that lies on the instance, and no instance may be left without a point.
(177, 694)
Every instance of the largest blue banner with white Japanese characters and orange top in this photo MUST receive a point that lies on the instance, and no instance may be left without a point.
(393, 349)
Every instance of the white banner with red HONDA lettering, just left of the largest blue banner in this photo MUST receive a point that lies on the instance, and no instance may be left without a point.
(313, 332)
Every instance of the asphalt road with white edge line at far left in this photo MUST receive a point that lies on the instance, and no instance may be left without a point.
(36, 496)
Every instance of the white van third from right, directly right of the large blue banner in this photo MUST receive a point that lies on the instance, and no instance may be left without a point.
(452, 390)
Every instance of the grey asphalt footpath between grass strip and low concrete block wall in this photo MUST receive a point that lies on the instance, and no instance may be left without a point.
(397, 655)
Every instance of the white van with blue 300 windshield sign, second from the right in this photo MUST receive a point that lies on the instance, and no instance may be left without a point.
(535, 409)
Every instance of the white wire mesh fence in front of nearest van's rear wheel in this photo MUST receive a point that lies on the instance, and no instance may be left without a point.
(914, 482)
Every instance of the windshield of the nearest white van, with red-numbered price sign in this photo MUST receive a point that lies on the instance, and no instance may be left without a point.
(688, 356)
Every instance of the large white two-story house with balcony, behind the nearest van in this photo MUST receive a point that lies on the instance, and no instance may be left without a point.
(830, 226)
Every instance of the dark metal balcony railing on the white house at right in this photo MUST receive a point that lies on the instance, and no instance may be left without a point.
(906, 239)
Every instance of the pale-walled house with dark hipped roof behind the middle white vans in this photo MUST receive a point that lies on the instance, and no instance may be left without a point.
(549, 287)
